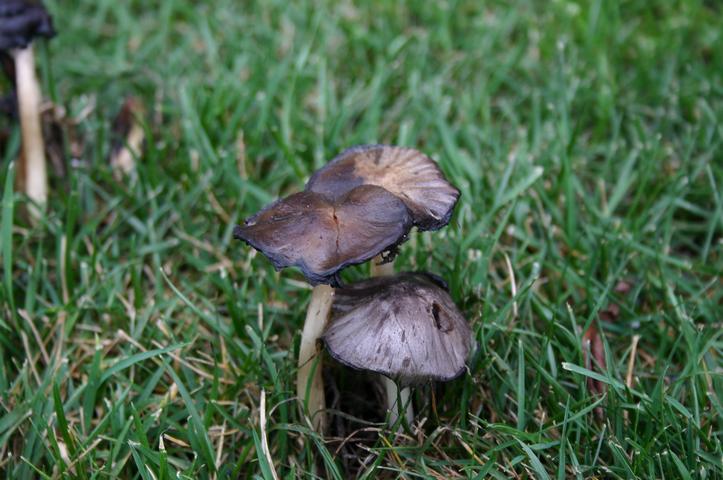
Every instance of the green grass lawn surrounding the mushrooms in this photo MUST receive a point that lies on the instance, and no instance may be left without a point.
(137, 339)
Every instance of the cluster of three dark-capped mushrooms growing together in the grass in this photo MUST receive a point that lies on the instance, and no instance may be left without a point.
(362, 205)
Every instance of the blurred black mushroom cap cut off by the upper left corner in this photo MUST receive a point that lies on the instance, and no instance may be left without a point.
(21, 21)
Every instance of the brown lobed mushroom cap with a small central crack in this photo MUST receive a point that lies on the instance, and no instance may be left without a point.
(322, 236)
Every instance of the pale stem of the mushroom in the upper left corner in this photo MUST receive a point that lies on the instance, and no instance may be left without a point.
(33, 175)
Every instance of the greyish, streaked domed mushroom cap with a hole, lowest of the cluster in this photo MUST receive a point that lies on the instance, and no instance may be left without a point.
(405, 327)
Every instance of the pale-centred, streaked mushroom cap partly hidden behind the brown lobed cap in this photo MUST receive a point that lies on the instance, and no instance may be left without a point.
(407, 173)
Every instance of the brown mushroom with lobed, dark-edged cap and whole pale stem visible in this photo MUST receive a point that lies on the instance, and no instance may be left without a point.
(322, 236)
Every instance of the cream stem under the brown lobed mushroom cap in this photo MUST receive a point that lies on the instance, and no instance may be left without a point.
(309, 382)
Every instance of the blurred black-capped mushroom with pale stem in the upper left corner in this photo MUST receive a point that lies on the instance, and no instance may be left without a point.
(20, 22)
